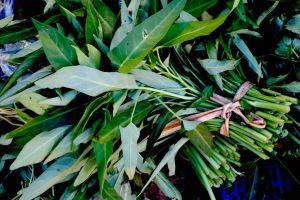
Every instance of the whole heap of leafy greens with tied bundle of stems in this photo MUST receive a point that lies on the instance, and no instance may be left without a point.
(108, 93)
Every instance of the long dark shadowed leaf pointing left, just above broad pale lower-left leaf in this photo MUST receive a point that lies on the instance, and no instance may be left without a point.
(47, 122)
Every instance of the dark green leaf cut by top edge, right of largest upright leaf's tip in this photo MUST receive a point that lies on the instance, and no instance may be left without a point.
(197, 7)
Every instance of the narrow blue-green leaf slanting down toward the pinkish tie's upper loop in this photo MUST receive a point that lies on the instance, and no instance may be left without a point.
(241, 45)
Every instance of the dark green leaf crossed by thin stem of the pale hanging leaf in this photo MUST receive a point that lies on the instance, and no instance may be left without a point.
(111, 130)
